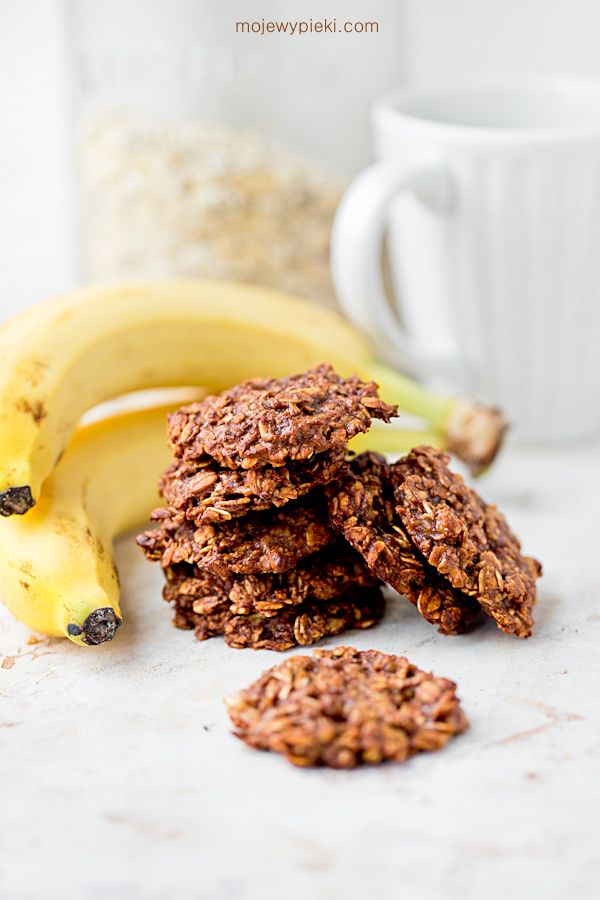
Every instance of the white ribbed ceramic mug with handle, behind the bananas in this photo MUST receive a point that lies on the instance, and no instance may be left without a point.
(491, 193)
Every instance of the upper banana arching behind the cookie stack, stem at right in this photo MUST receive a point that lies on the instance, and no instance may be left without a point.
(63, 357)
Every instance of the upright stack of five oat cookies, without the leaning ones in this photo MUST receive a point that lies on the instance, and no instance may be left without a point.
(245, 539)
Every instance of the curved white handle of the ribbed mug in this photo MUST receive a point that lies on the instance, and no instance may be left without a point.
(356, 242)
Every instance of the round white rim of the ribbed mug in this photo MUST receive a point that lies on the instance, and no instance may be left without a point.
(391, 104)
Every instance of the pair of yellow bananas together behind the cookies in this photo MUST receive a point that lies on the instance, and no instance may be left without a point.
(66, 491)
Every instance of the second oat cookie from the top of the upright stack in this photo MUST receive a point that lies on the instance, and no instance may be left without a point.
(209, 493)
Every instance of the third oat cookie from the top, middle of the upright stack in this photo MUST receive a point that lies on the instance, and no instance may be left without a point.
(271, 541)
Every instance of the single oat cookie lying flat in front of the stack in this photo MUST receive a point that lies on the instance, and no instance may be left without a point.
(344, 707)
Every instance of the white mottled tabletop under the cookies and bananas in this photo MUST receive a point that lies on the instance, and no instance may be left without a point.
(120, 778)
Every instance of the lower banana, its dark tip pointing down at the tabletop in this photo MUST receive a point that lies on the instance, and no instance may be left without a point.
(57, 571)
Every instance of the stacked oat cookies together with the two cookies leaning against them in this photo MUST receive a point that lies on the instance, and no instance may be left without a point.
(274, 535)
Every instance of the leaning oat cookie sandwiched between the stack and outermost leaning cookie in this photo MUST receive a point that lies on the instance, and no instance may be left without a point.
(362, 509)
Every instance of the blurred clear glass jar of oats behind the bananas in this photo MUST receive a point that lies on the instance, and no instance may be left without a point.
(208, 150)
